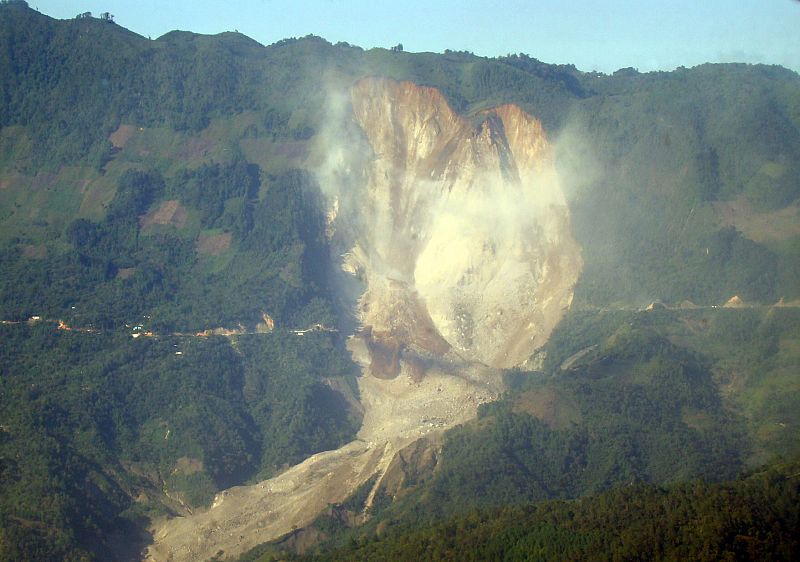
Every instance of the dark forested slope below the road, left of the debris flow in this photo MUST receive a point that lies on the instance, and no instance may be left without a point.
(97, 425)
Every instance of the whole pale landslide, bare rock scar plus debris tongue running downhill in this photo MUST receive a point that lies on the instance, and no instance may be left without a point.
(457, 259)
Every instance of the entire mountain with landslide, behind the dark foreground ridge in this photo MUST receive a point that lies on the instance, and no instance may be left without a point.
(310, 292)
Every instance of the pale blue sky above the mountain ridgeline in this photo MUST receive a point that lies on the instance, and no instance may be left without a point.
(603, 36)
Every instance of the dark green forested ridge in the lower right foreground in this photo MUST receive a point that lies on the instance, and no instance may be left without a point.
(754, 518)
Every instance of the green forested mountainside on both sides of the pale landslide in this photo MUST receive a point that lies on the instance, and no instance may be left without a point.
(165, 189)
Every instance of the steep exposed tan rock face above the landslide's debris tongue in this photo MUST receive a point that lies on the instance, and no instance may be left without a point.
(458, 229)
